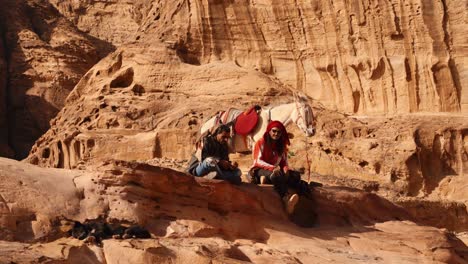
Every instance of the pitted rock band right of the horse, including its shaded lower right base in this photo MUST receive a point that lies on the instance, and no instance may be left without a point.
(422, 156)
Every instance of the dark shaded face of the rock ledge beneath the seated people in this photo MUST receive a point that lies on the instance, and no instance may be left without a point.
(173, 204)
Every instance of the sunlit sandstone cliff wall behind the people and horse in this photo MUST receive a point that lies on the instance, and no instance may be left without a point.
(188, 59)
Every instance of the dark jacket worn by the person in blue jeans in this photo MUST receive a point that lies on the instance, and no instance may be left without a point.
(210, 148)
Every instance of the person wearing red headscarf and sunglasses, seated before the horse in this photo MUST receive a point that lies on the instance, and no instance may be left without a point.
(270, 163)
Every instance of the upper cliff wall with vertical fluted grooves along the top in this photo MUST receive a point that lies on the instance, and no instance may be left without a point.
(363, 57)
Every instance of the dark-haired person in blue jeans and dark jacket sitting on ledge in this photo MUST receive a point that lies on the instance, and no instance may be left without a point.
(213, 159)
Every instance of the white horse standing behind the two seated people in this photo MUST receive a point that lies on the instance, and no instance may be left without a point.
(298, 112)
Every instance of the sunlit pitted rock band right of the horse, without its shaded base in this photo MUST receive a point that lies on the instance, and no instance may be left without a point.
(414, 153)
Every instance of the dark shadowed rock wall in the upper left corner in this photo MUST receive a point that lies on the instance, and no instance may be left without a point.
(42, 57)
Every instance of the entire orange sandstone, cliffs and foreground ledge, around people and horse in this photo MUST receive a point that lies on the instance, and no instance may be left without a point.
(386, 80)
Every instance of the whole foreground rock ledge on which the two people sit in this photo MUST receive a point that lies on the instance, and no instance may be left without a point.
(193, 219)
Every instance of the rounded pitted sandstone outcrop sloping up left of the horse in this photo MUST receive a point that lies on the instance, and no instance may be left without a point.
(152, 105)
